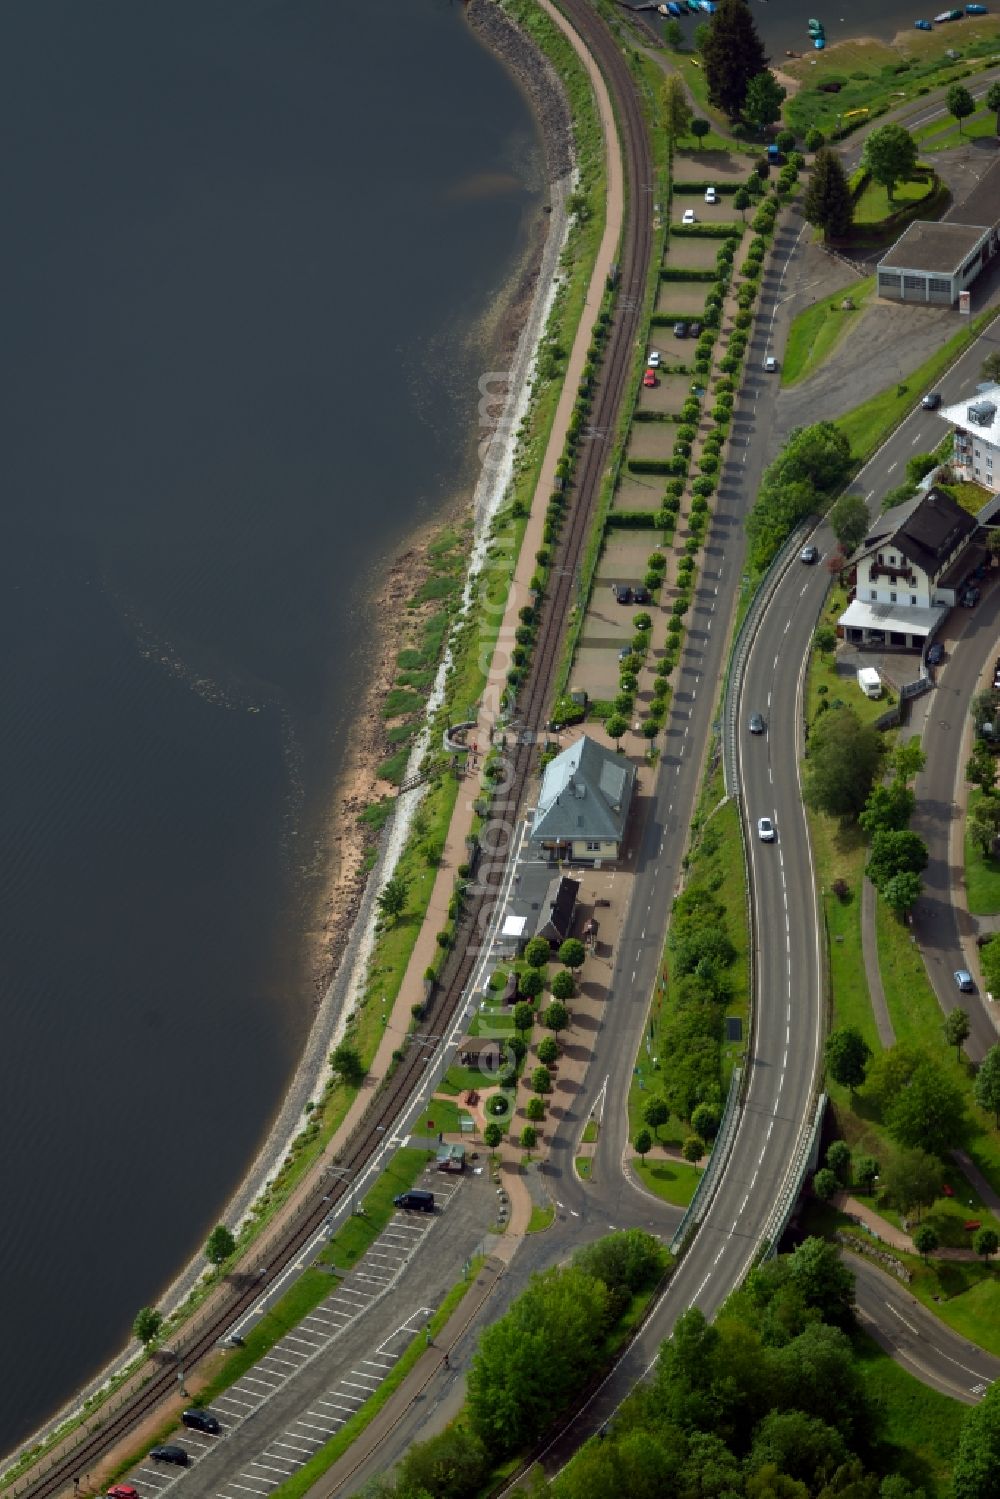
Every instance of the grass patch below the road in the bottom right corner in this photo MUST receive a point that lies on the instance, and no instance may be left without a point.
(921, 1428)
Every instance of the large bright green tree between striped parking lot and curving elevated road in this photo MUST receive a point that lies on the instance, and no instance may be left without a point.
(531, 1362)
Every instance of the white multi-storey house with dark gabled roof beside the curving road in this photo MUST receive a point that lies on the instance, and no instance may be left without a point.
(909, 572)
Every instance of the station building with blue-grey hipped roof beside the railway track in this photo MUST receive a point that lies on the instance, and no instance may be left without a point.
(584, 804)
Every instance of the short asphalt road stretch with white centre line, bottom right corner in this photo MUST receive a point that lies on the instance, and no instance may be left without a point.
(915, 1338)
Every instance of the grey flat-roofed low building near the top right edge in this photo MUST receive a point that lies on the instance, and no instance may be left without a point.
(933, 263)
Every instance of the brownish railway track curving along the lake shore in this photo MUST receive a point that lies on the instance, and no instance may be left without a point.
(322, 1197)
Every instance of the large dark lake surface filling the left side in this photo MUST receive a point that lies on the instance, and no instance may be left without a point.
(244, 245)
